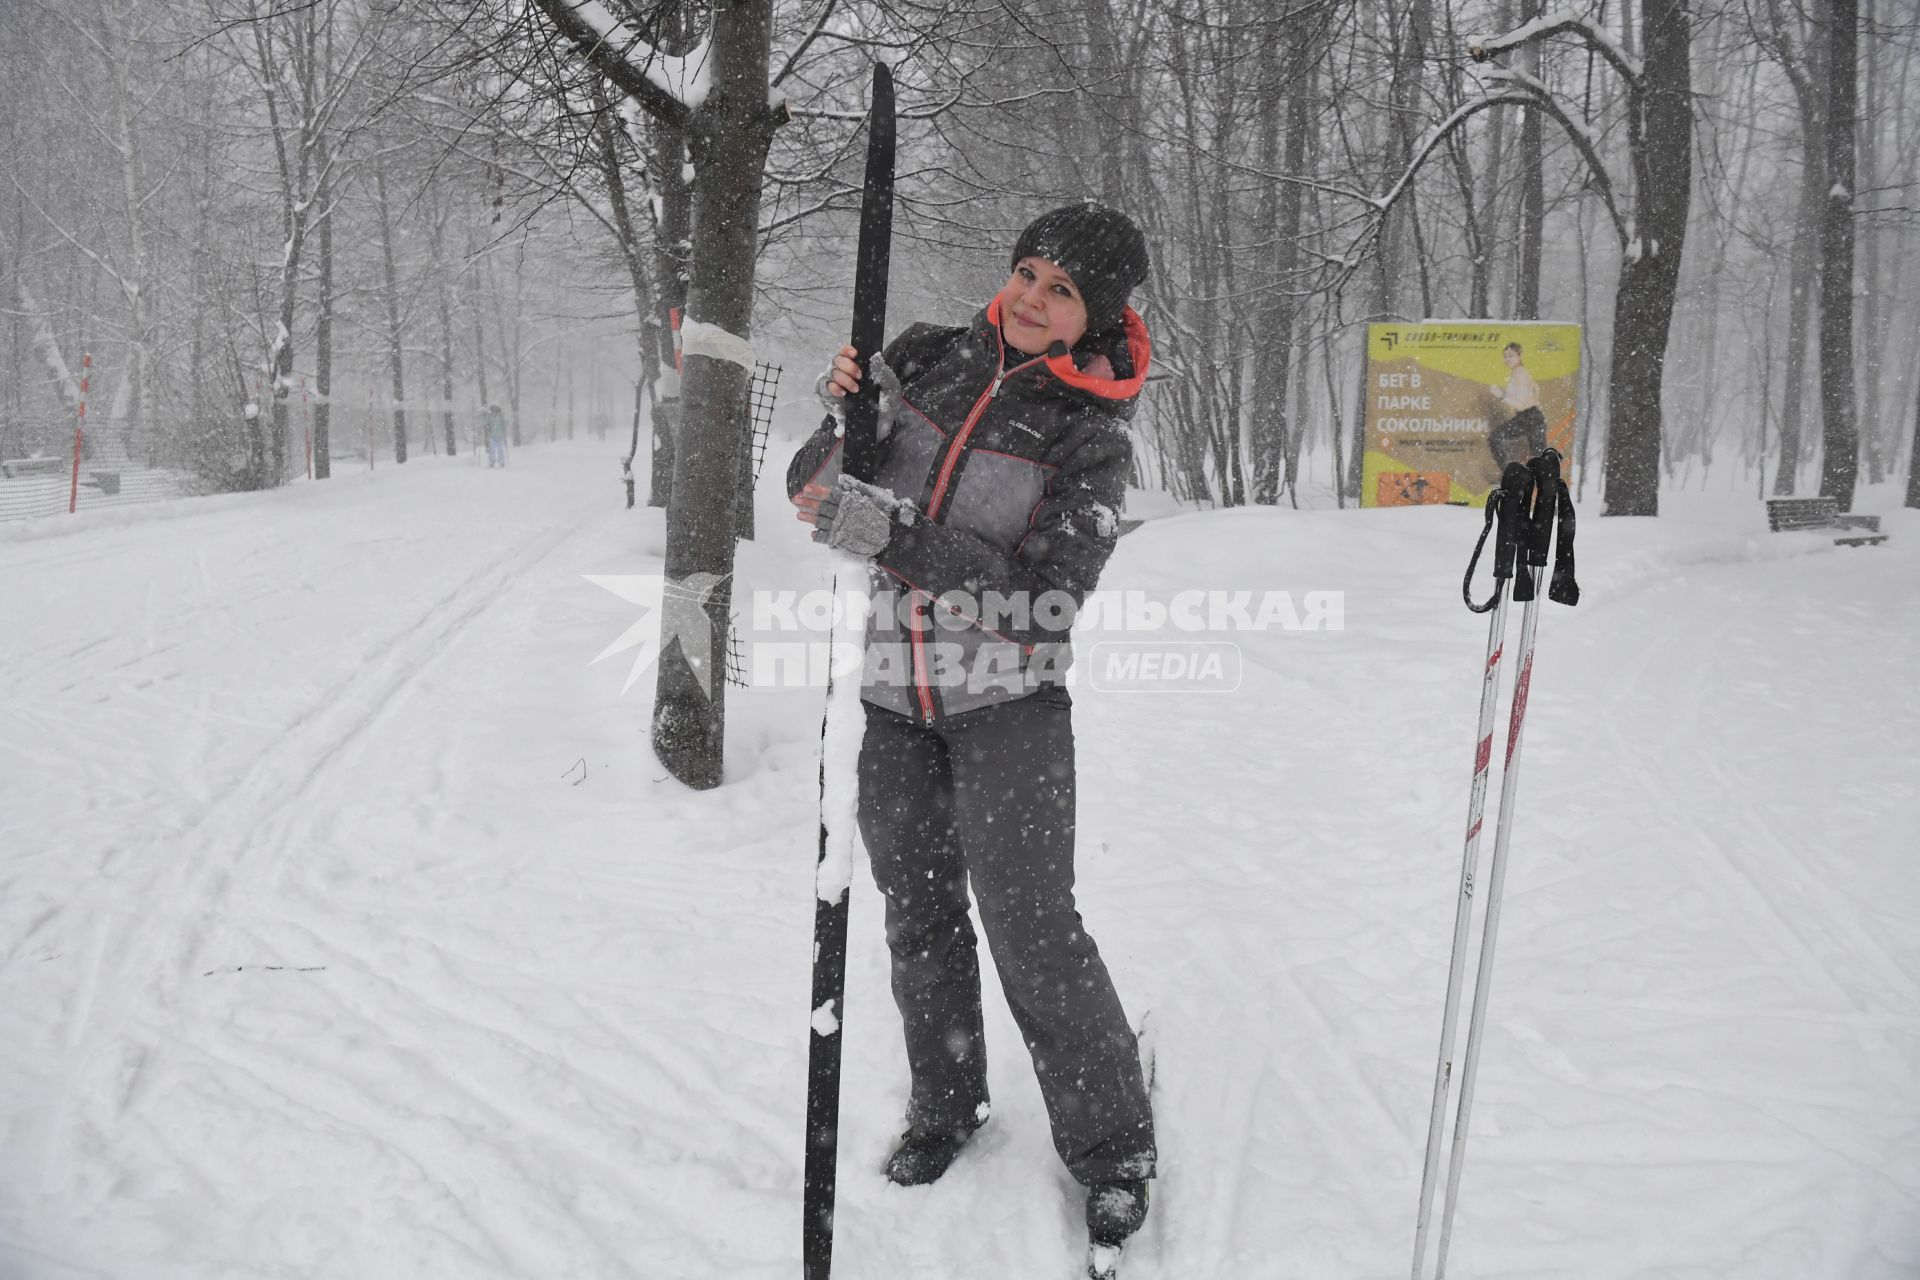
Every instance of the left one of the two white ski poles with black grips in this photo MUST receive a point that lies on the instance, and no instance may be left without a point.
(1500, 508)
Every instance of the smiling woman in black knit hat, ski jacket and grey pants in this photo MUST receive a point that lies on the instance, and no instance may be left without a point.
(1003, 465)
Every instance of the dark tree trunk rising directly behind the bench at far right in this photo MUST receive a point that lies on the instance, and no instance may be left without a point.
(1840, 440)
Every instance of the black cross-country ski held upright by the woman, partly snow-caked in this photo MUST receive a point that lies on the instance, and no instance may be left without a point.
(830, 897)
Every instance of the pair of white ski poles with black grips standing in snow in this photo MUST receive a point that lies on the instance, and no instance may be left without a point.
(1524, 515)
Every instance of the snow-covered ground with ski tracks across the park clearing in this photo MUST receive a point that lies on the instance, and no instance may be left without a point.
(348, 928)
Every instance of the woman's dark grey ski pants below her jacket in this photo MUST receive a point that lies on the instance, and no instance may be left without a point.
(988, 797)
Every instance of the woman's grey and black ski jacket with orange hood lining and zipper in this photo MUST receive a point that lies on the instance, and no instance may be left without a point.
(1017, 473)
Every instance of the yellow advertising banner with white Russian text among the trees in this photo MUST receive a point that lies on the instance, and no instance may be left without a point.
(1452, 402)
